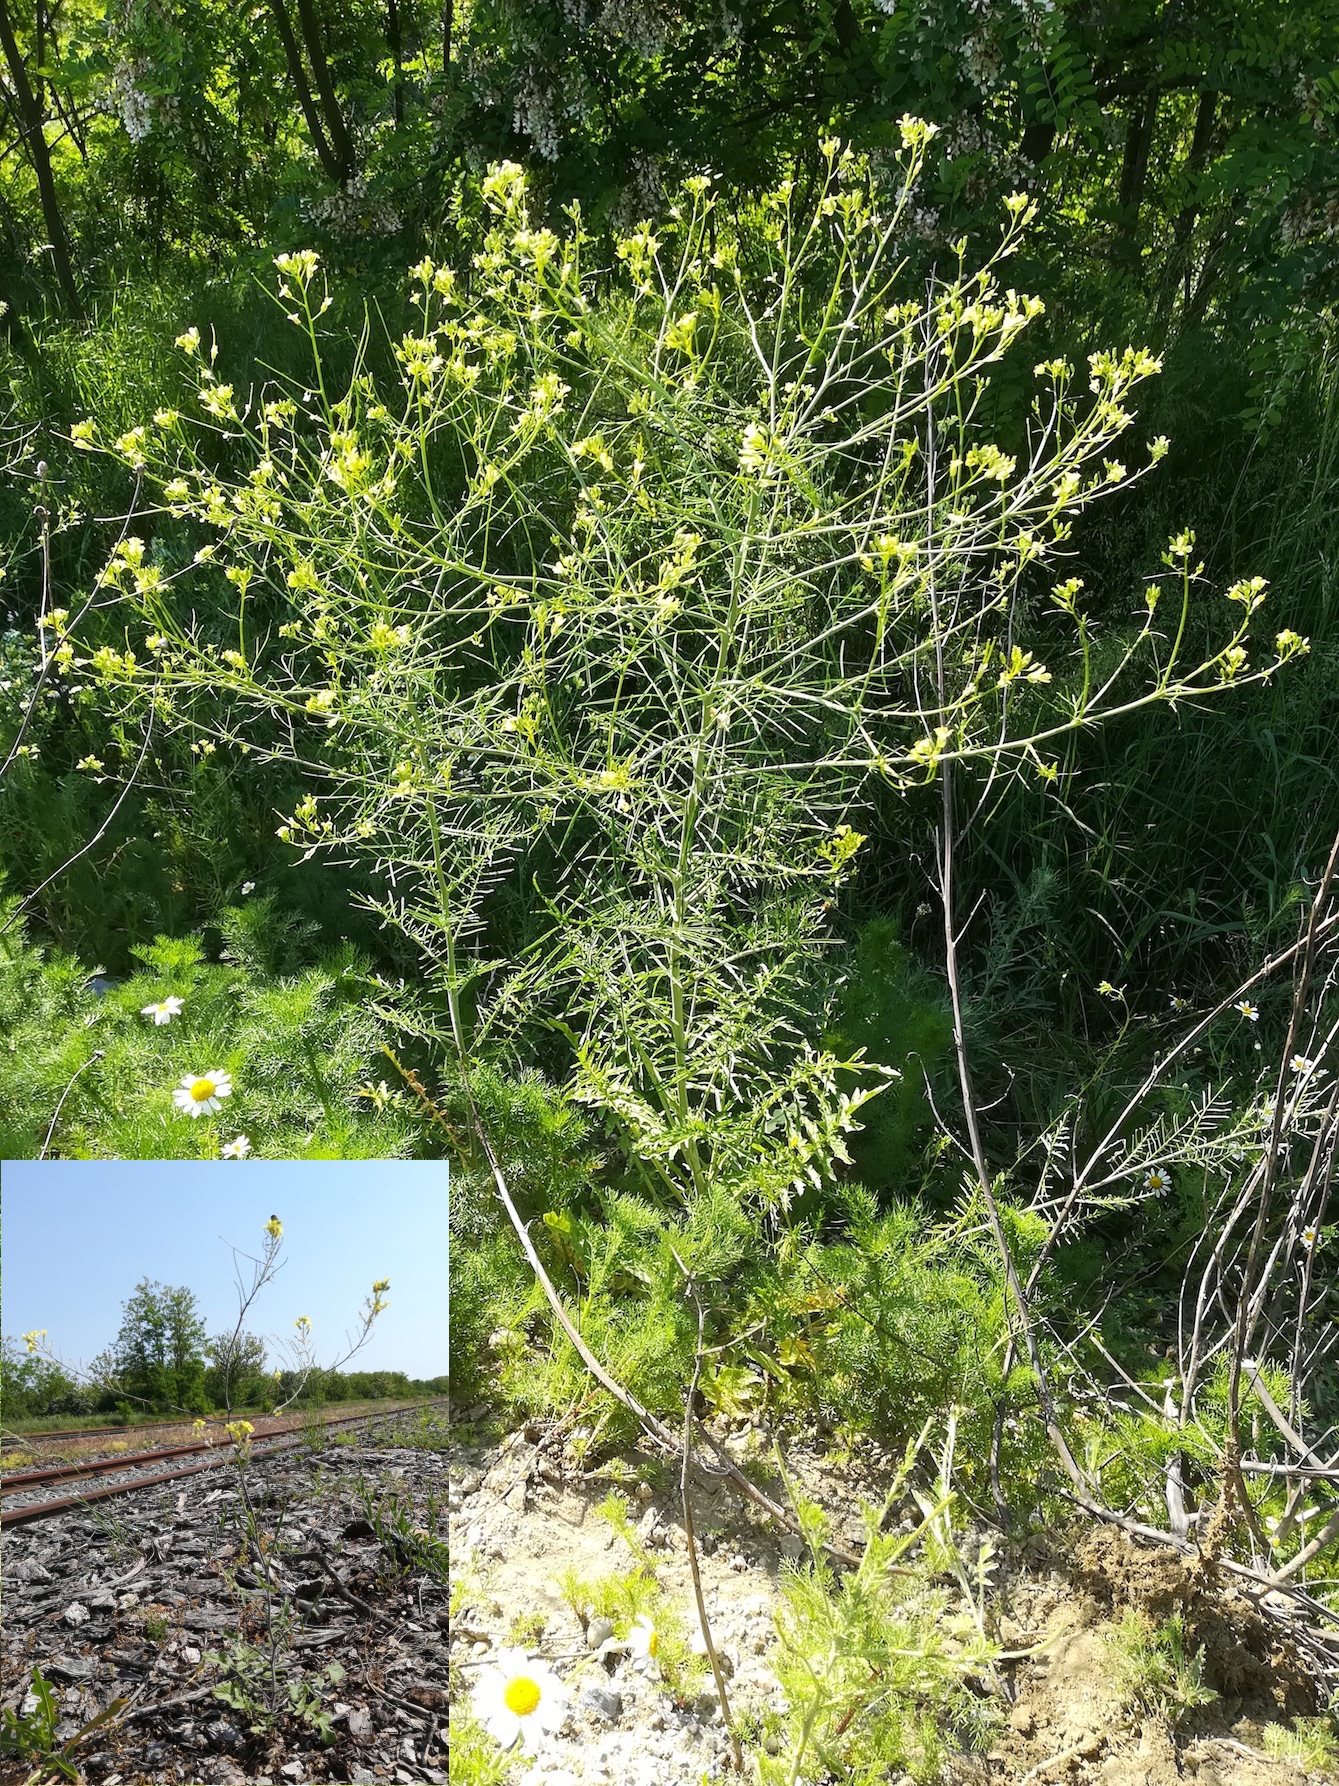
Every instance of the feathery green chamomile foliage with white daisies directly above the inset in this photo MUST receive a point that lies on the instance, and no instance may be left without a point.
(101, 1076)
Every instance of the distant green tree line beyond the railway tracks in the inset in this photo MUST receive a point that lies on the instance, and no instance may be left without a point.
(163, 1360)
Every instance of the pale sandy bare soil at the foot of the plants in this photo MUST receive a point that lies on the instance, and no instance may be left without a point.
(522, 1515)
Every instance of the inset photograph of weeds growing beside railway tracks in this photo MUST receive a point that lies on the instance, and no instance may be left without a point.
(224, 1473)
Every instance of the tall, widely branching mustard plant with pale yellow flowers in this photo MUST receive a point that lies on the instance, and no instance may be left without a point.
(631, 590)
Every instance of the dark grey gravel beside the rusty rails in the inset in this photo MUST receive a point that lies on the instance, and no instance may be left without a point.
(128, 1598)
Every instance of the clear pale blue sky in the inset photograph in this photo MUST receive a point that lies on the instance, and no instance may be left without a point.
(76, 1239)
